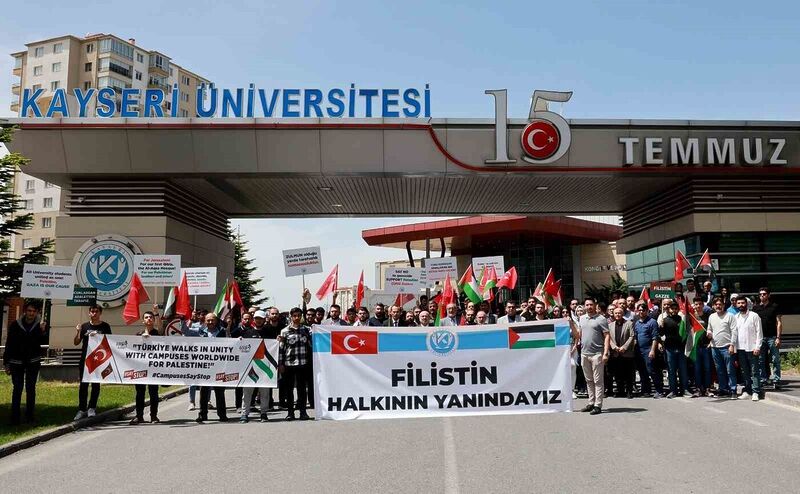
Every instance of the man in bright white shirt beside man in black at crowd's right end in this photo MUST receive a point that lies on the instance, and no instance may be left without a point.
(748, 343)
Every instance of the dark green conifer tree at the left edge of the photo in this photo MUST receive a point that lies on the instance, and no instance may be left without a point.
(12, 223)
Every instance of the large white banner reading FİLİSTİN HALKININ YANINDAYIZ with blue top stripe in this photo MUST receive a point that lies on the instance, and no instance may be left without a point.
(360, 373)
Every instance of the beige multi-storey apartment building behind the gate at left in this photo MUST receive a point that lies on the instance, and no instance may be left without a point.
(95, 61)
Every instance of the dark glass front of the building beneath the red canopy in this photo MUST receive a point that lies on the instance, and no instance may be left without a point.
(532, 256)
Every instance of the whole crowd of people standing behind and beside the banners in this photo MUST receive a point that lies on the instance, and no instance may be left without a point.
(612, 342)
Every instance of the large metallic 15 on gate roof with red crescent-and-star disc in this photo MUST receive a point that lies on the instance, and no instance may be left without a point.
(544, 140)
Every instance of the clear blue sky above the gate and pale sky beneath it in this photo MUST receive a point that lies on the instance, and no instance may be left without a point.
(730, 60)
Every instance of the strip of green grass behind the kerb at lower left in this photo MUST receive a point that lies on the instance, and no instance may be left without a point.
(56, 404)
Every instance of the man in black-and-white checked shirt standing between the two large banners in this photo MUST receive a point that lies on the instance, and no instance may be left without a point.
(294, 353)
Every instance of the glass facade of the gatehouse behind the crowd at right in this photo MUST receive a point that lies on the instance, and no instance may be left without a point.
(747, 261)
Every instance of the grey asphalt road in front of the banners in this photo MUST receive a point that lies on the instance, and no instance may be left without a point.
(681, 445)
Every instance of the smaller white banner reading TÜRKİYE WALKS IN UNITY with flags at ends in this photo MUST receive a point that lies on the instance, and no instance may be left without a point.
(171, 360)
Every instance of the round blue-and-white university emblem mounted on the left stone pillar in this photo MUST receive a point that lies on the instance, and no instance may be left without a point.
(105, 262)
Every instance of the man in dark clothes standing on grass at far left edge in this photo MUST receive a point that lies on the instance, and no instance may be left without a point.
(22, 359)
